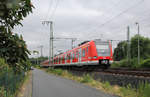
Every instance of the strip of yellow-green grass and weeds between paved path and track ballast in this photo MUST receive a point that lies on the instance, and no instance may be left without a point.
(142, 91)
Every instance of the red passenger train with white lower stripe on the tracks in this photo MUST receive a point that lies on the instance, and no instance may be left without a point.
(95, 52)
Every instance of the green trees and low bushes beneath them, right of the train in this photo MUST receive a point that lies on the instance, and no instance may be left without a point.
(120, 52)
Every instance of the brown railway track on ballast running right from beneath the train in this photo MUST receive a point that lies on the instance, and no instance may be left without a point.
(115, 71)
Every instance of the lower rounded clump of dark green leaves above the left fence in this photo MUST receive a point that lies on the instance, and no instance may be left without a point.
(14, 50)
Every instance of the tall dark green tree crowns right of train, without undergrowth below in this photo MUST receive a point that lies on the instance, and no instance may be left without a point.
(120, 51)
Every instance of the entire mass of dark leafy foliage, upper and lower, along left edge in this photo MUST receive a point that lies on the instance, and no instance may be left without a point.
(13, 48)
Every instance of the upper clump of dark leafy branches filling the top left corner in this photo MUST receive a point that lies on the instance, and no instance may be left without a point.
(12, 12)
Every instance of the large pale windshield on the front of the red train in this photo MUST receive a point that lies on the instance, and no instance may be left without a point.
(103, 48)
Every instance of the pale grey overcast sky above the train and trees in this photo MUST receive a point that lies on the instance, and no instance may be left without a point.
(84, 20)
